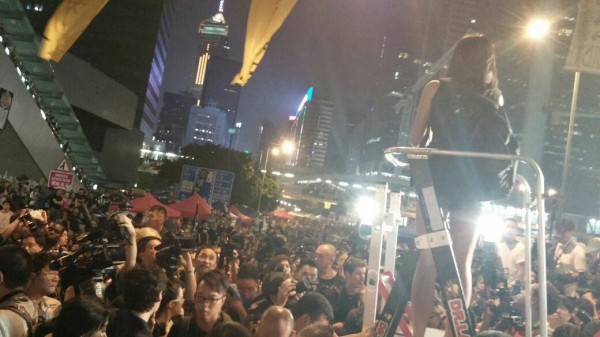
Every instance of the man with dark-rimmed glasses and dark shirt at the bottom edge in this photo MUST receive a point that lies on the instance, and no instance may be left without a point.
(208, 304)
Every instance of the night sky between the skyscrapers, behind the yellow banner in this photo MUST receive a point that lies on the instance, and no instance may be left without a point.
(333, 45)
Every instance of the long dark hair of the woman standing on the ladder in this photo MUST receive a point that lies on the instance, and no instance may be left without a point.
(473, 58)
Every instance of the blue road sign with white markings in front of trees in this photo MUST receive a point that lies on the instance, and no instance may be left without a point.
(213, 185)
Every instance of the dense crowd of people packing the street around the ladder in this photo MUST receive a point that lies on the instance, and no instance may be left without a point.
(87, 268)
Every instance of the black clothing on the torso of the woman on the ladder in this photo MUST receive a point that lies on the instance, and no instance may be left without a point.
(473, 123)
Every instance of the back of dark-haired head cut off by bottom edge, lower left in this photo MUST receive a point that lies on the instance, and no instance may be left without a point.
(80, 317)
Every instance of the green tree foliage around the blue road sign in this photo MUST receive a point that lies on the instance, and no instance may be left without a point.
(247, 181)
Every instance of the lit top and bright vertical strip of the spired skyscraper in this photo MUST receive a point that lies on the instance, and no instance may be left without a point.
(214, 42)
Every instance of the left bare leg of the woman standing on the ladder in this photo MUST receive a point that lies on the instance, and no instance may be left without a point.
(423, 285)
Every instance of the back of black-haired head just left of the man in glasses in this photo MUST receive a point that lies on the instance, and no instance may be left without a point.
(141, 287)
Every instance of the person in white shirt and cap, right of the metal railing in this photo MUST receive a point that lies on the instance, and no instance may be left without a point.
(569, 257)
